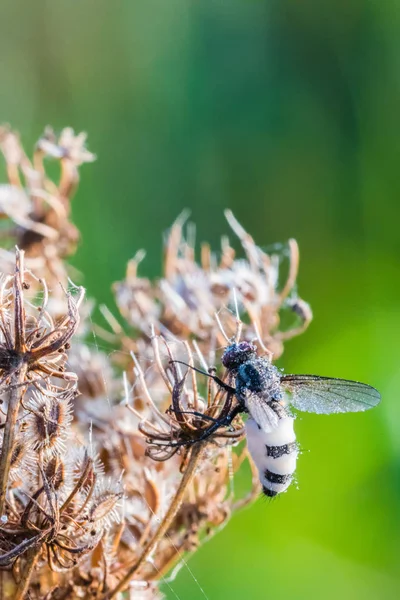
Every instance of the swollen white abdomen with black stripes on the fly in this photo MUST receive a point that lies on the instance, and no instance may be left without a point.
(274, 454)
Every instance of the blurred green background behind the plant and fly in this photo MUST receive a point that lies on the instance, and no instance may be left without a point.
(288, 113)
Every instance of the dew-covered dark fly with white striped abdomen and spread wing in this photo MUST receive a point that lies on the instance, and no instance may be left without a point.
(266, 395)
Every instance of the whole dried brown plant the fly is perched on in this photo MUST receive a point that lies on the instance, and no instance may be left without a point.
(109, 476)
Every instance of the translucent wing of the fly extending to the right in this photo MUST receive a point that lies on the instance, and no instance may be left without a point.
(324, 395)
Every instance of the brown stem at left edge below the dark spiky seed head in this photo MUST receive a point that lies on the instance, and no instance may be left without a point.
(16, 393)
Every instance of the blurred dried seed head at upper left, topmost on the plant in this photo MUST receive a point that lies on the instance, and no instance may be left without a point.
(37, 209)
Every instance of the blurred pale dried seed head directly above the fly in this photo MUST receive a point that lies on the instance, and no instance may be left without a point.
(185, 300)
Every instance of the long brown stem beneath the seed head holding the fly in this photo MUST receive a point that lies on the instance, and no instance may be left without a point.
(188, 475)
